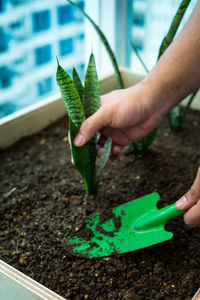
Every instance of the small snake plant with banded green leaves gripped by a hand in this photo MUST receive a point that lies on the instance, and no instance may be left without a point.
(81, 102)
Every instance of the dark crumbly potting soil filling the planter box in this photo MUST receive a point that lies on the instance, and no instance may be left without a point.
(43, 198)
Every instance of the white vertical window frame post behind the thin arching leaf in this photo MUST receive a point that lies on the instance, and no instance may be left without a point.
(114, 18)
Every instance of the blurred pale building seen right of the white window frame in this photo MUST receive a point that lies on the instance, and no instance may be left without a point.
(150, 23)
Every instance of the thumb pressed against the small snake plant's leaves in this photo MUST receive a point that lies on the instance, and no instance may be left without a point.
(89, 127)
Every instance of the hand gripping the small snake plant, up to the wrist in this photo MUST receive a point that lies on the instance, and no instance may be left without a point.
(126, 115)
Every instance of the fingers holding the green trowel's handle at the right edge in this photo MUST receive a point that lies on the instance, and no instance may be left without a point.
(191, 201)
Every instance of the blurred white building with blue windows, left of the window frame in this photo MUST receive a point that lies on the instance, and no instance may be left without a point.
(32, 34)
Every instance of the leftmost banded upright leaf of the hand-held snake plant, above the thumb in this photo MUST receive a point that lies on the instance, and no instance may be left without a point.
(71, 97)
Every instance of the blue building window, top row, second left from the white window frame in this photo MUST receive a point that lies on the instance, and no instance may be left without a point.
(41, 20)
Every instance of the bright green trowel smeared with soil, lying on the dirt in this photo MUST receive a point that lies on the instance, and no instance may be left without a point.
(128, 227)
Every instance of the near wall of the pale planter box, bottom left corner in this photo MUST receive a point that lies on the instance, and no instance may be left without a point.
(14, 285)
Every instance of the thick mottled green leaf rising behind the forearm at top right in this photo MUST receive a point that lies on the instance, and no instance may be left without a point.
(174, 26)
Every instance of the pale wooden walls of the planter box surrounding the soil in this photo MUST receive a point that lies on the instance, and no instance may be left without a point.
(14, 285)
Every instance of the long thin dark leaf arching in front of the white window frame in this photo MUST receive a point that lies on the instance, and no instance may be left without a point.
(105, 43)
